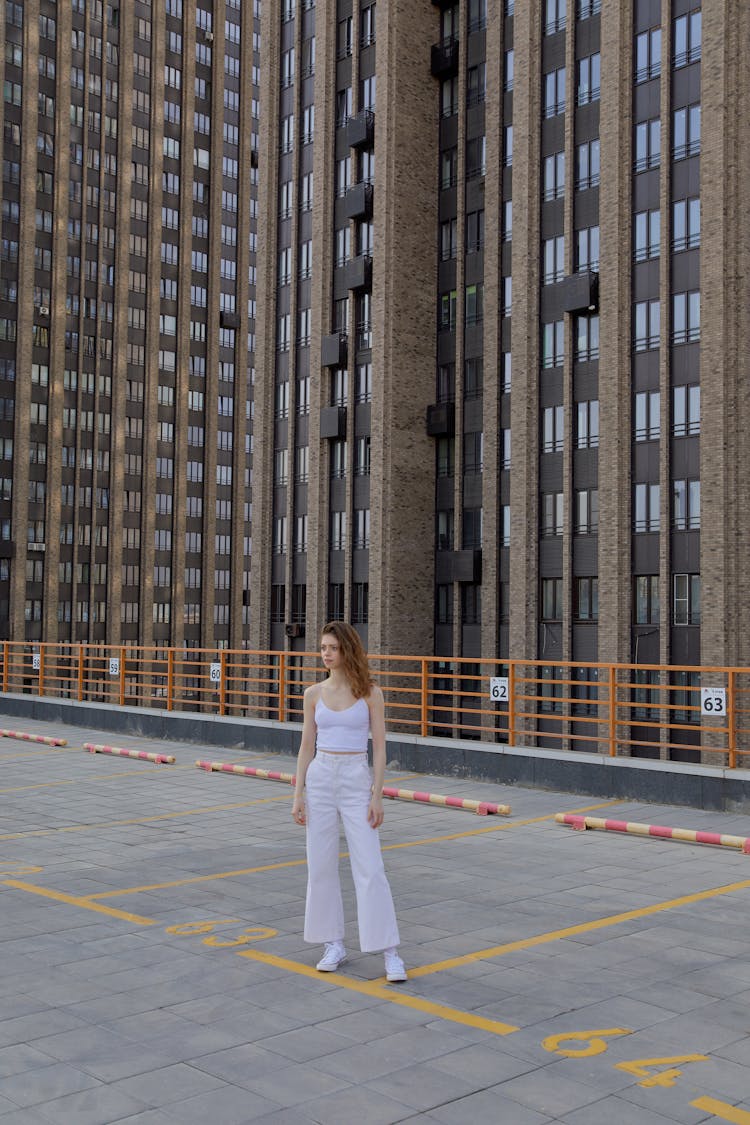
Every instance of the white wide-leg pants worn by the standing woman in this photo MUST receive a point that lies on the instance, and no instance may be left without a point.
(340, 786)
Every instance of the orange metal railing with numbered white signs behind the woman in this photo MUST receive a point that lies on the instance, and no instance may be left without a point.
(673, 713)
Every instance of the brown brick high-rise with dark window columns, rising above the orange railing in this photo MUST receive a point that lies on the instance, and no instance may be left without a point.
(464, 314)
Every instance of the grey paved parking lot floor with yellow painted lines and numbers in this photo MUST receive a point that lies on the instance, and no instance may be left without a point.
(153, 971)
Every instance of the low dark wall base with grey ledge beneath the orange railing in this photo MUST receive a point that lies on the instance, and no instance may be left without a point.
(590, 775)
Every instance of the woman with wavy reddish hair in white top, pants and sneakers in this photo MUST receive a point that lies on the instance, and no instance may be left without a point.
(340, 713)
